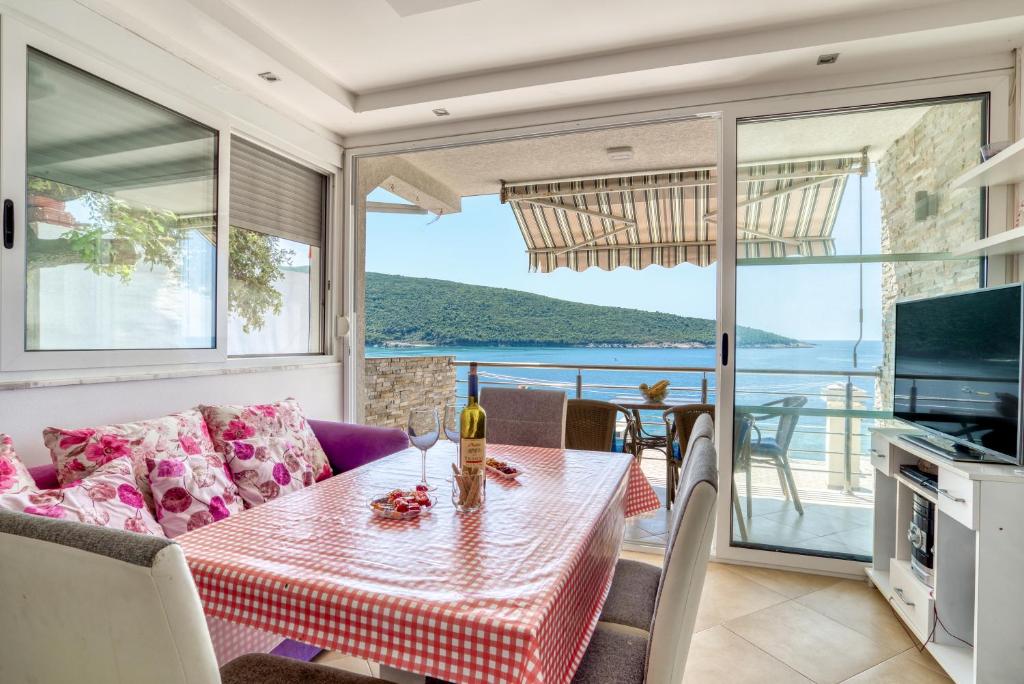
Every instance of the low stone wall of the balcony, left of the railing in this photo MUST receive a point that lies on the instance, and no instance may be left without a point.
(396, 386)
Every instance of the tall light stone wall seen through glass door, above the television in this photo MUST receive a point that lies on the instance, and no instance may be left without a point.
(942, 146)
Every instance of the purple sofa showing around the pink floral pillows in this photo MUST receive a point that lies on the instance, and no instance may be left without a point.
(348, 446)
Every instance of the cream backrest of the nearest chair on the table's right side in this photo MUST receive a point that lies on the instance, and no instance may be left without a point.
(686, 567)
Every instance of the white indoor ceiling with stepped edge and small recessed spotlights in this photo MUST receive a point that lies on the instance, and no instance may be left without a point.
(362, 66)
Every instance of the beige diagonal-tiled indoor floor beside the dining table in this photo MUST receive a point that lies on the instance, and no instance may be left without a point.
(757, 625)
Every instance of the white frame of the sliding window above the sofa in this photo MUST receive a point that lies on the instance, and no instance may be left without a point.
(16, 40)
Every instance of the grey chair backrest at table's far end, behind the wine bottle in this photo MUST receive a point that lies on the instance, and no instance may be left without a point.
(525, 417)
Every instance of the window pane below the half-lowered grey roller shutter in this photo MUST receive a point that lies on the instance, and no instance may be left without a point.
(274, 295)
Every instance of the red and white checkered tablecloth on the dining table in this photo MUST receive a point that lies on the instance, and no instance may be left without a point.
(510, 594)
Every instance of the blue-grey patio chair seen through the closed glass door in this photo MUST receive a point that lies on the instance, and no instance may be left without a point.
(774, 451)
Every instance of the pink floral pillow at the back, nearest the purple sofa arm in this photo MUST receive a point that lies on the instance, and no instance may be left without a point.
(283, 420)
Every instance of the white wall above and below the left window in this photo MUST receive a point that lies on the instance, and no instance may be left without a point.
(25, 411)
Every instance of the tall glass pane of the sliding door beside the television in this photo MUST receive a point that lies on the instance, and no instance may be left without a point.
(840, 216)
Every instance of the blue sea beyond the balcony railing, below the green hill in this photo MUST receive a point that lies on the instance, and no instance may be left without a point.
(810, 371)
